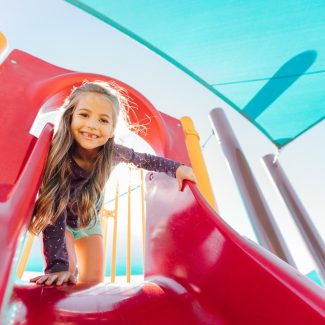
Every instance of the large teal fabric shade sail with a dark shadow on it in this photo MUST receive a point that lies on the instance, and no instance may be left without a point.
(265, 58)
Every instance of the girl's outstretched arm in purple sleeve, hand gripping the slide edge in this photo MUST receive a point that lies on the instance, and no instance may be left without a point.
(153, 163)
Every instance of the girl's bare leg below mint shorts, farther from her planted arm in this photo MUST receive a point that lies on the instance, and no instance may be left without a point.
(90, 253)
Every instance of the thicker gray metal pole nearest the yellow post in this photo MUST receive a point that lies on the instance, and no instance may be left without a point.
(266, 230)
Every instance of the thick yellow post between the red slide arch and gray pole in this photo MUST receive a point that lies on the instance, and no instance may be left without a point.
(192, 140)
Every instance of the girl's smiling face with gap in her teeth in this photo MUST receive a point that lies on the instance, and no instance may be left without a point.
(92, 122)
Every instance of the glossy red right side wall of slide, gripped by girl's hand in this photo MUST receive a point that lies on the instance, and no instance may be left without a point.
(232, 277)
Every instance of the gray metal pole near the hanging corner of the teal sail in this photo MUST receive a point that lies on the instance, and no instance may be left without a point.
(306, 227)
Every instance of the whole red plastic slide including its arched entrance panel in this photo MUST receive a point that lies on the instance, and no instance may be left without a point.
(197, 269)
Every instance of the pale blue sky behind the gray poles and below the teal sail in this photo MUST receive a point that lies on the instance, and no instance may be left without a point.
(68, 37)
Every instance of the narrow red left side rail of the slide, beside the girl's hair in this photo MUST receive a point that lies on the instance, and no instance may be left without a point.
(17, 209)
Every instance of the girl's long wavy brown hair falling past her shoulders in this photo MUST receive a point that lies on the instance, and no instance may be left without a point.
(54, 192)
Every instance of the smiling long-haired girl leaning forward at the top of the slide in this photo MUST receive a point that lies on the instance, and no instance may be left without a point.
(79, 163)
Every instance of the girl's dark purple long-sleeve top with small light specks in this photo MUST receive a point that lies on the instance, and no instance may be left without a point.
(54, 244)
